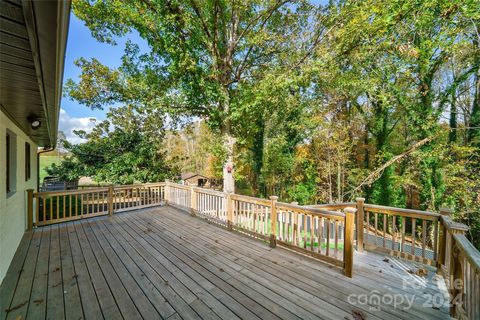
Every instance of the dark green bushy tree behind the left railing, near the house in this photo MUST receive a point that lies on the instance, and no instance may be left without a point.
(125, 148)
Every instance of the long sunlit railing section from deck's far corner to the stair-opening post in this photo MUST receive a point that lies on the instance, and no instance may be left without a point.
(324, 234)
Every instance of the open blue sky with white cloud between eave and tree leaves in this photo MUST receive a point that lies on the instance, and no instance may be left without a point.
(82, 44)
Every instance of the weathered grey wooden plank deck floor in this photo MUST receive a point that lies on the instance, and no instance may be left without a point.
(162, 263)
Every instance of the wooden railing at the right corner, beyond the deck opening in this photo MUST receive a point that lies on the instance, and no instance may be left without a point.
(424, 236)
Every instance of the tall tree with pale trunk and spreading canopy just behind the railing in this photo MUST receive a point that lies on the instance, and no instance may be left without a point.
(200, 54)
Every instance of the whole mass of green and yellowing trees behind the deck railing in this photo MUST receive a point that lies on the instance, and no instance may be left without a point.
(313, 103)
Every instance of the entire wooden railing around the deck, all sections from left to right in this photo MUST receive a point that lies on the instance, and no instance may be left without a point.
(327, 231)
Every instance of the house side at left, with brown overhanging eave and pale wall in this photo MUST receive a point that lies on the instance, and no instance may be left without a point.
(33, 38)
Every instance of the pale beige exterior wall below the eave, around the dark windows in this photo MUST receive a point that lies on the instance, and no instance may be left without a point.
(13, 219)
